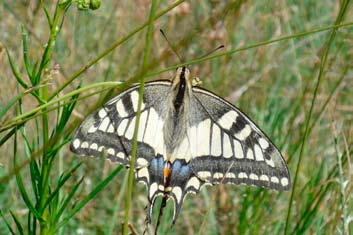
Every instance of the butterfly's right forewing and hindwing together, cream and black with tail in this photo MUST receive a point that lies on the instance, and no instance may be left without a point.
(223, 146)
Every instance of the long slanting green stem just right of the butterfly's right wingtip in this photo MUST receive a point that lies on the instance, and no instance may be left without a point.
(308, 120)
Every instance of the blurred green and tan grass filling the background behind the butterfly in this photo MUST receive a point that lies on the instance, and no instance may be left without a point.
(274, 83)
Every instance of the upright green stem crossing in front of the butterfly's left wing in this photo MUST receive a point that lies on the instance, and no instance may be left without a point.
(134, 145)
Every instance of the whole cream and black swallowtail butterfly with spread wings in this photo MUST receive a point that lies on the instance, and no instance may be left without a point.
(188, 137)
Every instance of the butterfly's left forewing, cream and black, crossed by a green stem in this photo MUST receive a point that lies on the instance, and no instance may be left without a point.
(110, 130)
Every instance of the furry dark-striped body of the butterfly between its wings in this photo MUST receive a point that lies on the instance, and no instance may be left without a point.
(176, 123)
